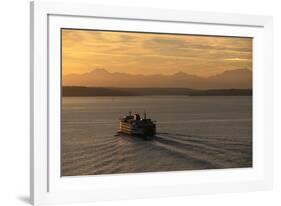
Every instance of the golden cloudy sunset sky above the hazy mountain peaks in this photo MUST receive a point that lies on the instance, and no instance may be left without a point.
(146, 53)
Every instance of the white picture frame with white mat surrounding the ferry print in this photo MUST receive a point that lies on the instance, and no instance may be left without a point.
(47, 186)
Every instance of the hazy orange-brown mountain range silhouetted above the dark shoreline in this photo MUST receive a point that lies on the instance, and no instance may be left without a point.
(231, 79)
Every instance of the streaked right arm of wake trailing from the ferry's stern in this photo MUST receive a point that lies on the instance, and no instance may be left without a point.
(213, 152)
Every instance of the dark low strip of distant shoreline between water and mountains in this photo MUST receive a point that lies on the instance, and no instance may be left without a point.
(79, 91)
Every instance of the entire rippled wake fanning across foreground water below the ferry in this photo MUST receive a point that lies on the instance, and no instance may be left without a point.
(121, 153)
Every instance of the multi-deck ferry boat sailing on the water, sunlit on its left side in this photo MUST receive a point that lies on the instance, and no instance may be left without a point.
(136, 126)
